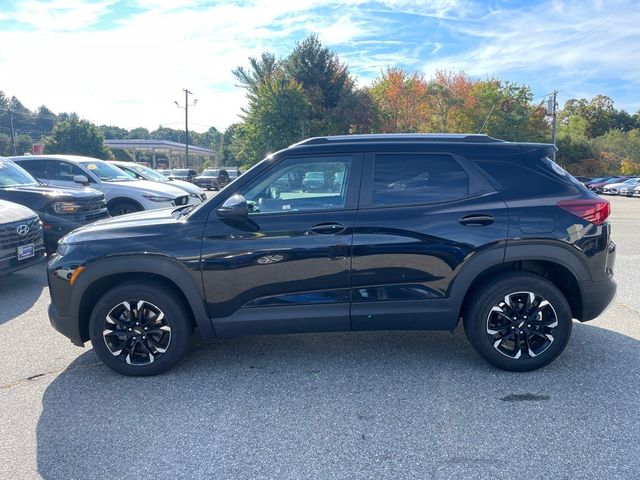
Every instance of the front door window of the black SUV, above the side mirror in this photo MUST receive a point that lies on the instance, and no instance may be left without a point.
(301, 184)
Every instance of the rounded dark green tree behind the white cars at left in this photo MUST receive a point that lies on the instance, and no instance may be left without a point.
(77, 137)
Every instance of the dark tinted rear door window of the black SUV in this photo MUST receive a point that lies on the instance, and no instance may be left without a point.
(411, 179)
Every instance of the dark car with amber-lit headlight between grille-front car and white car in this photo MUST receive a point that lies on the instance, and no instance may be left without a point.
(60, 209)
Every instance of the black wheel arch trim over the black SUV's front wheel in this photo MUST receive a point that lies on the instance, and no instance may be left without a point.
(160, 265)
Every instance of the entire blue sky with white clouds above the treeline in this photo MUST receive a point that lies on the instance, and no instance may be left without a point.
(125, 62)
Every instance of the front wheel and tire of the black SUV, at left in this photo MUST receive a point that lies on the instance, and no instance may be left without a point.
(164, 342)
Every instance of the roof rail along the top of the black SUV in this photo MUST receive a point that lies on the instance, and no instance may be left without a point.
(402, 137)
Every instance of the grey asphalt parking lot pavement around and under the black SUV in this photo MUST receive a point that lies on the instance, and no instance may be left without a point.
(361, 405)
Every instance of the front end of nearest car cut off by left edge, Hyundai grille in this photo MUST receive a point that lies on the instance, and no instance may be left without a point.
(21, 239)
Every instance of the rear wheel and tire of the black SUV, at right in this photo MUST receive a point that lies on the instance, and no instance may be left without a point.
(539, 331)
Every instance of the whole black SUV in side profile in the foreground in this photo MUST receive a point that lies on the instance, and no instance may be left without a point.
(403, 232)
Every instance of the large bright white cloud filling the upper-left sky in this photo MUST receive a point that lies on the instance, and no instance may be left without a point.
(130, 75)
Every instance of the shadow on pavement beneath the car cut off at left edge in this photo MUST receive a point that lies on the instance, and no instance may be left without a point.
(20, 290)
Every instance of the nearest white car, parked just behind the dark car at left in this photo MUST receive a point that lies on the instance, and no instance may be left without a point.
(122, 193)
